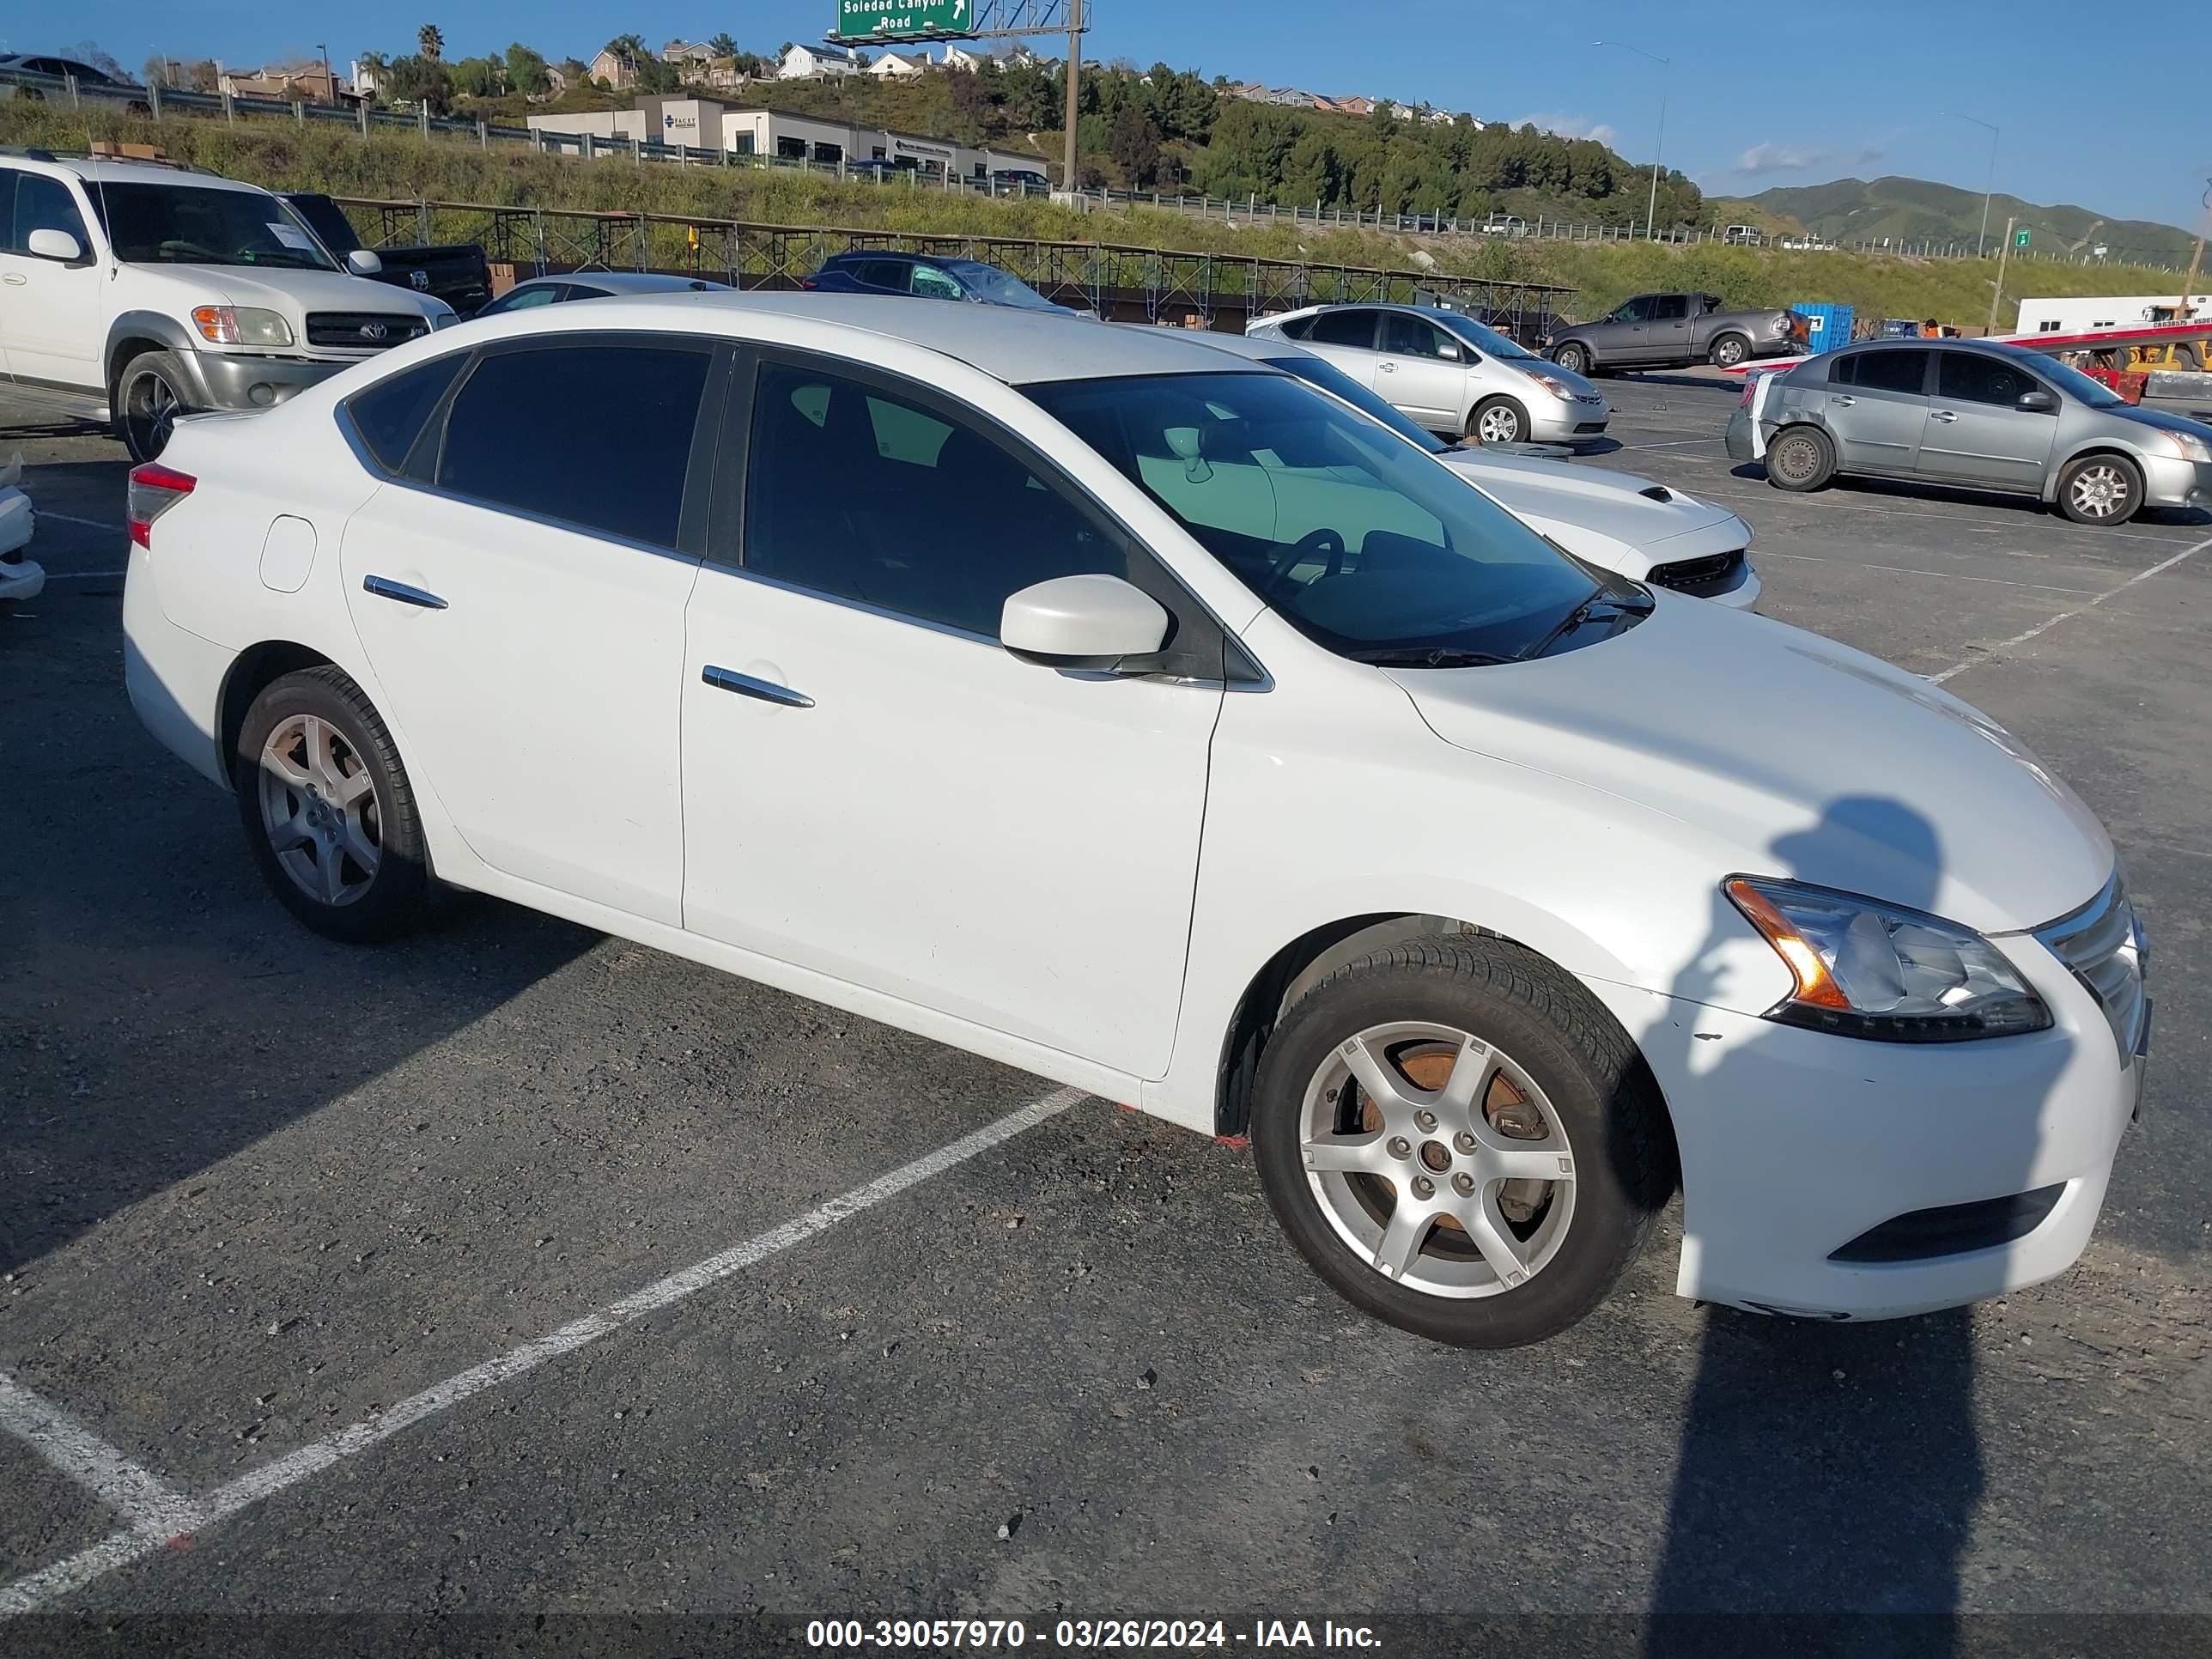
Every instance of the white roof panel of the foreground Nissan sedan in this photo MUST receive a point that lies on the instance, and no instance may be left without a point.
(1008, 344)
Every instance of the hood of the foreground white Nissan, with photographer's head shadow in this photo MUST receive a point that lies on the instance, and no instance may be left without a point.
(1795, 758)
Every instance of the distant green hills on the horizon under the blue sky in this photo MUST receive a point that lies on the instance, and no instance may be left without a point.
(1926, 211)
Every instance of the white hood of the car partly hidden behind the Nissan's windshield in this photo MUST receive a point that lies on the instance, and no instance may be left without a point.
(1618, 521)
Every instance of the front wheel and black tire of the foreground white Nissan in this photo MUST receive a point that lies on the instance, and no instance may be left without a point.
(1547, 1056)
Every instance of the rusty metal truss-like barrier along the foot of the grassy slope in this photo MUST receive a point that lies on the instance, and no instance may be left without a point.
(1151, 284)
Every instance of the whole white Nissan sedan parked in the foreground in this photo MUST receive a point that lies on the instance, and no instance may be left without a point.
(1151, 720)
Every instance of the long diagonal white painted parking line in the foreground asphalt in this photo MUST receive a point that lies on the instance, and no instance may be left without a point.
(196, 1514)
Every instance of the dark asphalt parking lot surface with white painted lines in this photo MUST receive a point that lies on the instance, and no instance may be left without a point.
(521, 1271)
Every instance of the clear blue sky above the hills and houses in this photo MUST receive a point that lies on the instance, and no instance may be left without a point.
(1868, 94)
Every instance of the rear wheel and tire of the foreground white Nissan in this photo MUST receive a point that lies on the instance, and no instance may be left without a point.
(342, 855)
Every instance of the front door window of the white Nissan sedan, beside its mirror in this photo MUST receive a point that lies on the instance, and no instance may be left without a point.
(864, 494)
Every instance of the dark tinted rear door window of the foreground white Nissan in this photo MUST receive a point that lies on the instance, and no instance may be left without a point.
(620, 477)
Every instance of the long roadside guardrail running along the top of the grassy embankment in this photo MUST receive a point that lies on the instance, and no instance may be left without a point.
(163, 101)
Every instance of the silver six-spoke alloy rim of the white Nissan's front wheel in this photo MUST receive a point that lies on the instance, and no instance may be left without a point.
(1408, 1151)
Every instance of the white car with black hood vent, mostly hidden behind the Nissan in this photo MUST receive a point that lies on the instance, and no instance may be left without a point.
(1625, 523)
